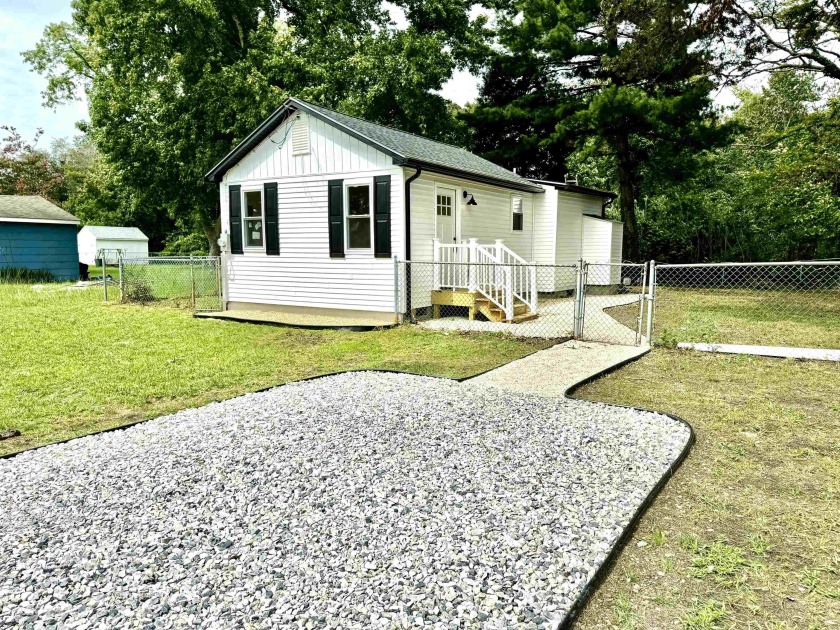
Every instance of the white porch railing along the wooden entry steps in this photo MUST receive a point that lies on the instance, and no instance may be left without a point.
(495, 271)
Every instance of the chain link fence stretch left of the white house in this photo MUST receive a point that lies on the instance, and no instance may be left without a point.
(189, 281)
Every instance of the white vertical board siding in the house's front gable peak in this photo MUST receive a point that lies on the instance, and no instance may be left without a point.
(331, 151)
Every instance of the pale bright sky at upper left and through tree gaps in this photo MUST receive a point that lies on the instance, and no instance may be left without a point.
(21, 24)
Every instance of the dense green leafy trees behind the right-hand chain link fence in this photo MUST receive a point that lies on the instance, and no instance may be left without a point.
(772, 193)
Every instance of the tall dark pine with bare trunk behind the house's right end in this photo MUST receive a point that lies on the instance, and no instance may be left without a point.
(620, 78)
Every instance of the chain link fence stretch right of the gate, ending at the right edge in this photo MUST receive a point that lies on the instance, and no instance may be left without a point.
(794, 304)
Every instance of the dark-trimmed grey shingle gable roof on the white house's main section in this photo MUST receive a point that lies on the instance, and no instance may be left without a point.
(407, 149)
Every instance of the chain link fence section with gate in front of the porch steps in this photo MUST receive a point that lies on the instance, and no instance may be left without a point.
(597, 302)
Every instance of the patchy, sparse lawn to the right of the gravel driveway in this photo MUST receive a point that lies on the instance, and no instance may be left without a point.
(747, 533)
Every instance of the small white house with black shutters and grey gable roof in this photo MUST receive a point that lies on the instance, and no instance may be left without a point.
(317, 204)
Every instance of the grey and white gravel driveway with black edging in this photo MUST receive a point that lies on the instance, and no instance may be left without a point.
(363, 500)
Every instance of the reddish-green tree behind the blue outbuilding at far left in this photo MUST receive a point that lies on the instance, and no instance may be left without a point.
(26, 170)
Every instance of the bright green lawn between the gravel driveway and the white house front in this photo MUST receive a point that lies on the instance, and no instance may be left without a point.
(73, 365)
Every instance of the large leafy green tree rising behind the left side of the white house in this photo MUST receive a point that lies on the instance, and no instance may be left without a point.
(173, 84)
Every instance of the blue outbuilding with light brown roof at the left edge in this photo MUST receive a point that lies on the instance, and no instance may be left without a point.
(37, 234)
